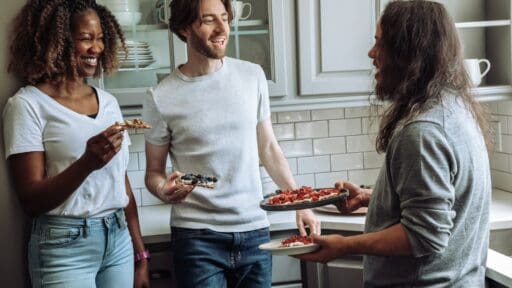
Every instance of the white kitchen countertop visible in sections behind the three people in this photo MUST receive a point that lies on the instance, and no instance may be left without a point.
(154, 222)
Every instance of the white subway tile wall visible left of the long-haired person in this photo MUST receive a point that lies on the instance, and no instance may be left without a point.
(322, 146)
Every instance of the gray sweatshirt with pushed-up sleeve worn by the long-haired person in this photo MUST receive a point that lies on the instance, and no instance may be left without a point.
(436, 182)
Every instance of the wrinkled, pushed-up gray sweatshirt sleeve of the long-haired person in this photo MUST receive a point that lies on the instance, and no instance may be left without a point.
(421, 166)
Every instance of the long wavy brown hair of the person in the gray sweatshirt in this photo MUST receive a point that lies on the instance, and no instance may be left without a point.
(421, 57)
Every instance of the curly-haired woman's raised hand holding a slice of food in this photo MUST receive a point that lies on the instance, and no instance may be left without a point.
(103, 147)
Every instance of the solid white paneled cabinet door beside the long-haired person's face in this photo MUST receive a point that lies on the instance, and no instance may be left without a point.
(334, 39)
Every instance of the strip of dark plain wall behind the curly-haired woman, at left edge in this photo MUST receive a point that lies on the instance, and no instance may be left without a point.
(12, 224)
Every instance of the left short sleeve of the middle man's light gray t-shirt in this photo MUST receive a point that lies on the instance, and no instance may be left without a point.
(159, 133)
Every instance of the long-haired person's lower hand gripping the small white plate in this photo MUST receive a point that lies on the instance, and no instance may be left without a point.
(331, 247)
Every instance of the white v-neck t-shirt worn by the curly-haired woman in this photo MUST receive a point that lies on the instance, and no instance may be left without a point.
(33, 121)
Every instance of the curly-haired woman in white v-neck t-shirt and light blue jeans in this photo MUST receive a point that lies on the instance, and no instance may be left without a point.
(66, 152)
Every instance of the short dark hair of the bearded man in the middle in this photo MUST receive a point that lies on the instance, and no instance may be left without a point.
(185, 12)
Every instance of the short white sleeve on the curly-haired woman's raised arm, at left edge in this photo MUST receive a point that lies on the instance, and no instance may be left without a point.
(23, 131)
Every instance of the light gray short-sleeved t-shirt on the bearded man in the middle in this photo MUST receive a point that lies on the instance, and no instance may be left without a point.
(210, 122)
